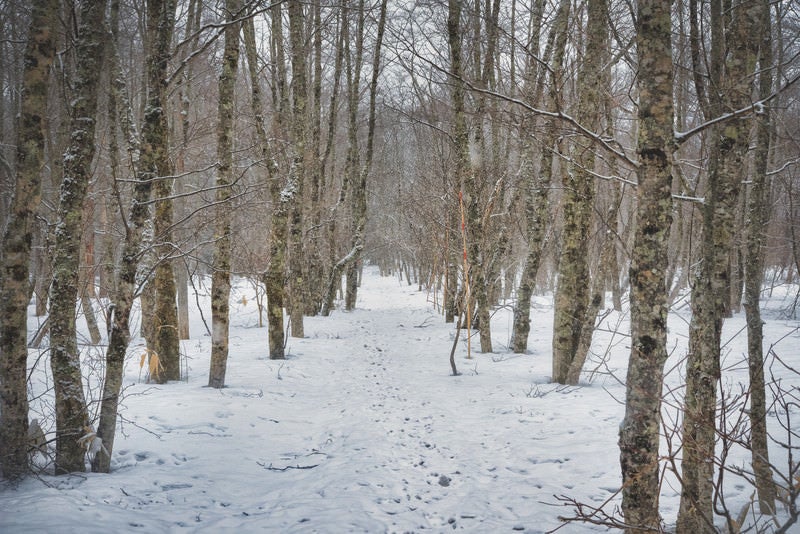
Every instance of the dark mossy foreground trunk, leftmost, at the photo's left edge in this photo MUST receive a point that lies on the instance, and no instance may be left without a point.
(14, 277)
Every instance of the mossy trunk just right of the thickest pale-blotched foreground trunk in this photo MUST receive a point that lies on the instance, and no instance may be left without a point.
(731, 63)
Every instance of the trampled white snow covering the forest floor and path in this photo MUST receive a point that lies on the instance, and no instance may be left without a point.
(363, 429)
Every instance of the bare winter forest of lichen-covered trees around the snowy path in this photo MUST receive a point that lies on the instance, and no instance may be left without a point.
(621, 157)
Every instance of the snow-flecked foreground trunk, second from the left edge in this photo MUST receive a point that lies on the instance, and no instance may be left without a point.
(71, 413)
